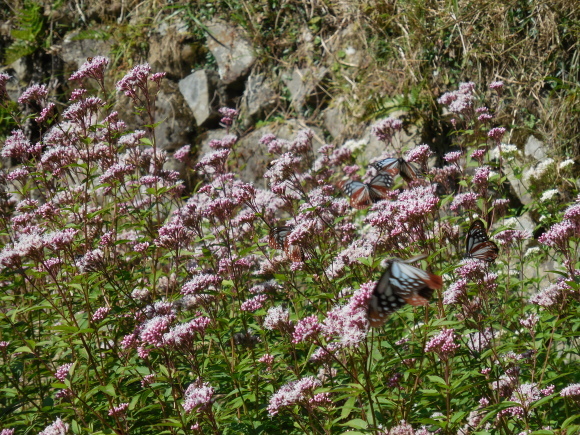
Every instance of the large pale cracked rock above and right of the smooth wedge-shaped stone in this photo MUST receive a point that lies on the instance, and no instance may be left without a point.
(233, 53)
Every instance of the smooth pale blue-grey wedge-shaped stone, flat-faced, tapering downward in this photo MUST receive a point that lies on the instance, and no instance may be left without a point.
(199, 91)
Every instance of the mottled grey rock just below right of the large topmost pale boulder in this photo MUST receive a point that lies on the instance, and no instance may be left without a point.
(259, 97)
